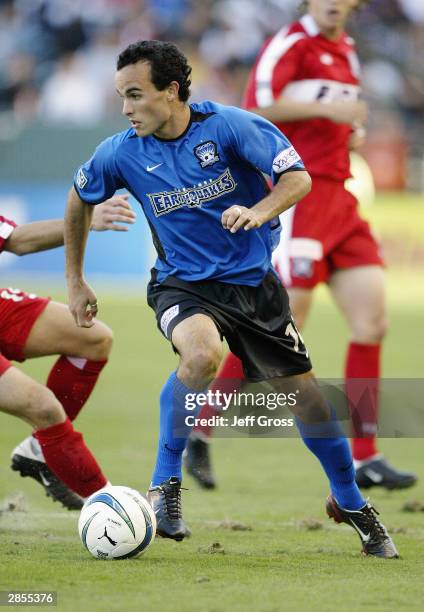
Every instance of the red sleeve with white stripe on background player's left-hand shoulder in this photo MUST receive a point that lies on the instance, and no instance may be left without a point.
(277, 65)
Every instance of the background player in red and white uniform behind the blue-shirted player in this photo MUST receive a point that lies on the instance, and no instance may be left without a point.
(306, 81)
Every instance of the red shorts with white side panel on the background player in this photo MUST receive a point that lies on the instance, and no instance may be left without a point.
(322, 234)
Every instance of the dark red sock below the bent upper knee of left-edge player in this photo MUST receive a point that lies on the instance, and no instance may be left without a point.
(72, 380)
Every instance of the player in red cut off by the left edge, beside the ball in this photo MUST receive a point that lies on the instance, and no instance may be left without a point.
(30, 326)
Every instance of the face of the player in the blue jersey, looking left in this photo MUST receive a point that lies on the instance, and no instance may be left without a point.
(147, 108)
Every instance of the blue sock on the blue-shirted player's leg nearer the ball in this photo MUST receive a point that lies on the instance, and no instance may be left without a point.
(173, 432)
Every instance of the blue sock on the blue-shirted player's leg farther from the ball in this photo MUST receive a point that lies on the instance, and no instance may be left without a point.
(333, 451)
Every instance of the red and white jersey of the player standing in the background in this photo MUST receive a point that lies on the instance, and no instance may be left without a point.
(298, 63)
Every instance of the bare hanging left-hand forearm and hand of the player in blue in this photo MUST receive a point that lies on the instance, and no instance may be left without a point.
(82, 299)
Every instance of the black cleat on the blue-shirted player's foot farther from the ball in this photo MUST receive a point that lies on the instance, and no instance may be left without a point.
(373, 534)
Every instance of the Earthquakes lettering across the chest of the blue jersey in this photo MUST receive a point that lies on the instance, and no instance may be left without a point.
(168, 201)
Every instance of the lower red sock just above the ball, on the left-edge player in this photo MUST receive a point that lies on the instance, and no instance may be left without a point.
(68, 457)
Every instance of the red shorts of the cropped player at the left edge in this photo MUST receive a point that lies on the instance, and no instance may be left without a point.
(18, 313)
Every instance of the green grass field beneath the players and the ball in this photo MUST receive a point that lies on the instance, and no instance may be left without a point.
(292, 558)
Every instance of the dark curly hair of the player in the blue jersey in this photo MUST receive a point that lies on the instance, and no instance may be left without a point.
(167, 64)
